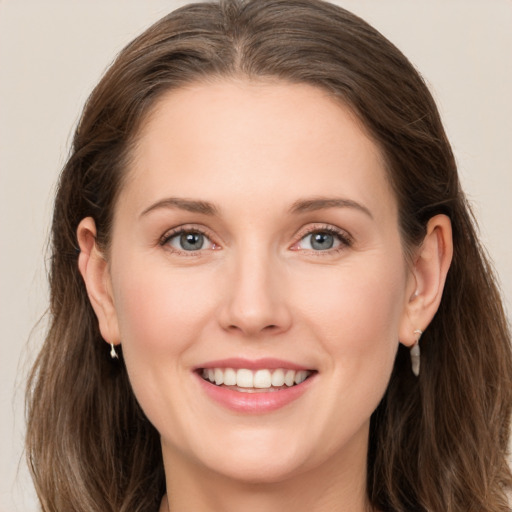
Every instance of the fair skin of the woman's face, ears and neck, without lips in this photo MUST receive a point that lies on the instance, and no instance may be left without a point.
(257, 288)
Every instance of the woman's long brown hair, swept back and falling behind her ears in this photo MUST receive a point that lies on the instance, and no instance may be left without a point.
(437, 443)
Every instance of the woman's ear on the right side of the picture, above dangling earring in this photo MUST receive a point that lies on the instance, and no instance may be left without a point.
(428, 276)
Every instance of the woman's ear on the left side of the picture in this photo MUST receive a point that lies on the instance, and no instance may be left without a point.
(95, 272)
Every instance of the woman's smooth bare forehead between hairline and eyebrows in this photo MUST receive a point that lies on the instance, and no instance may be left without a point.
(231, 142)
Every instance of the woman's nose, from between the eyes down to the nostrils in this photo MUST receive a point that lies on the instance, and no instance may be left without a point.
(255, 298)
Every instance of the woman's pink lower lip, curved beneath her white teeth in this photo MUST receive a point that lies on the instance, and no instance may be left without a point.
(255, 402)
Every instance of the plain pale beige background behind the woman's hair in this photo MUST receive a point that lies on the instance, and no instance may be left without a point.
(53, 52)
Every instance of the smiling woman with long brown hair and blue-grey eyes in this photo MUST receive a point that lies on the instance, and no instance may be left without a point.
(261, 225)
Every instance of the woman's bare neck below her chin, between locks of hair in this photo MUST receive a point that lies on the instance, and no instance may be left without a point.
(330, 487)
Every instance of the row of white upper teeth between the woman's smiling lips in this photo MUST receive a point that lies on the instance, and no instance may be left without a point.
(255, 381)
